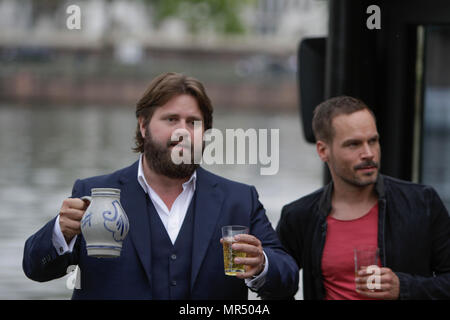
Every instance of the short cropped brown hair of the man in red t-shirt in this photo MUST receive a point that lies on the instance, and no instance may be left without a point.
(325, 112)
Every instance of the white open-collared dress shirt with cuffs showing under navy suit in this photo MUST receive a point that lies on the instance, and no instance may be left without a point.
(172, 220)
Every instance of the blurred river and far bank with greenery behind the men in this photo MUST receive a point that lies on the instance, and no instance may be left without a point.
(67, 98)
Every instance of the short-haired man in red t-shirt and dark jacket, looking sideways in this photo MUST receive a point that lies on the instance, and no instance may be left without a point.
(407, 222)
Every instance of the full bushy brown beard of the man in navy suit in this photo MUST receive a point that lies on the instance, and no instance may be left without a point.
(159, 159)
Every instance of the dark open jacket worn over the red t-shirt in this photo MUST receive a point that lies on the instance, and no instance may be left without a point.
(413, 237)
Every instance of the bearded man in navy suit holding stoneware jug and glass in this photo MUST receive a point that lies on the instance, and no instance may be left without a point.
(176, 211)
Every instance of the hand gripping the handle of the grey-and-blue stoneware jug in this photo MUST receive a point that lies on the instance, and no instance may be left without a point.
(70, 215)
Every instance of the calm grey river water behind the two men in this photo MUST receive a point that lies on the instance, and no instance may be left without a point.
(43, 150)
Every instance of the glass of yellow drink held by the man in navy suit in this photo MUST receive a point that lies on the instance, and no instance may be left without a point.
(228, 233)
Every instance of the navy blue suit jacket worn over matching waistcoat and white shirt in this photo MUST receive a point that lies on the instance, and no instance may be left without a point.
(219, 202)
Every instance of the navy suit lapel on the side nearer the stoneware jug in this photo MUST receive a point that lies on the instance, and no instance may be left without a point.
(133, 199)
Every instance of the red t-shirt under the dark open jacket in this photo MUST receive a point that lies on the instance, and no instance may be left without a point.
(338, 268)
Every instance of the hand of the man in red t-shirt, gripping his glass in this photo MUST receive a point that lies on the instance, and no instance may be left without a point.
(389, 285)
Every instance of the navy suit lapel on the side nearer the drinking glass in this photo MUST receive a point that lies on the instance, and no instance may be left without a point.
(208, 204)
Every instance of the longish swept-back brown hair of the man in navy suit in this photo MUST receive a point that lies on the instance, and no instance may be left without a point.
(165, 87)
